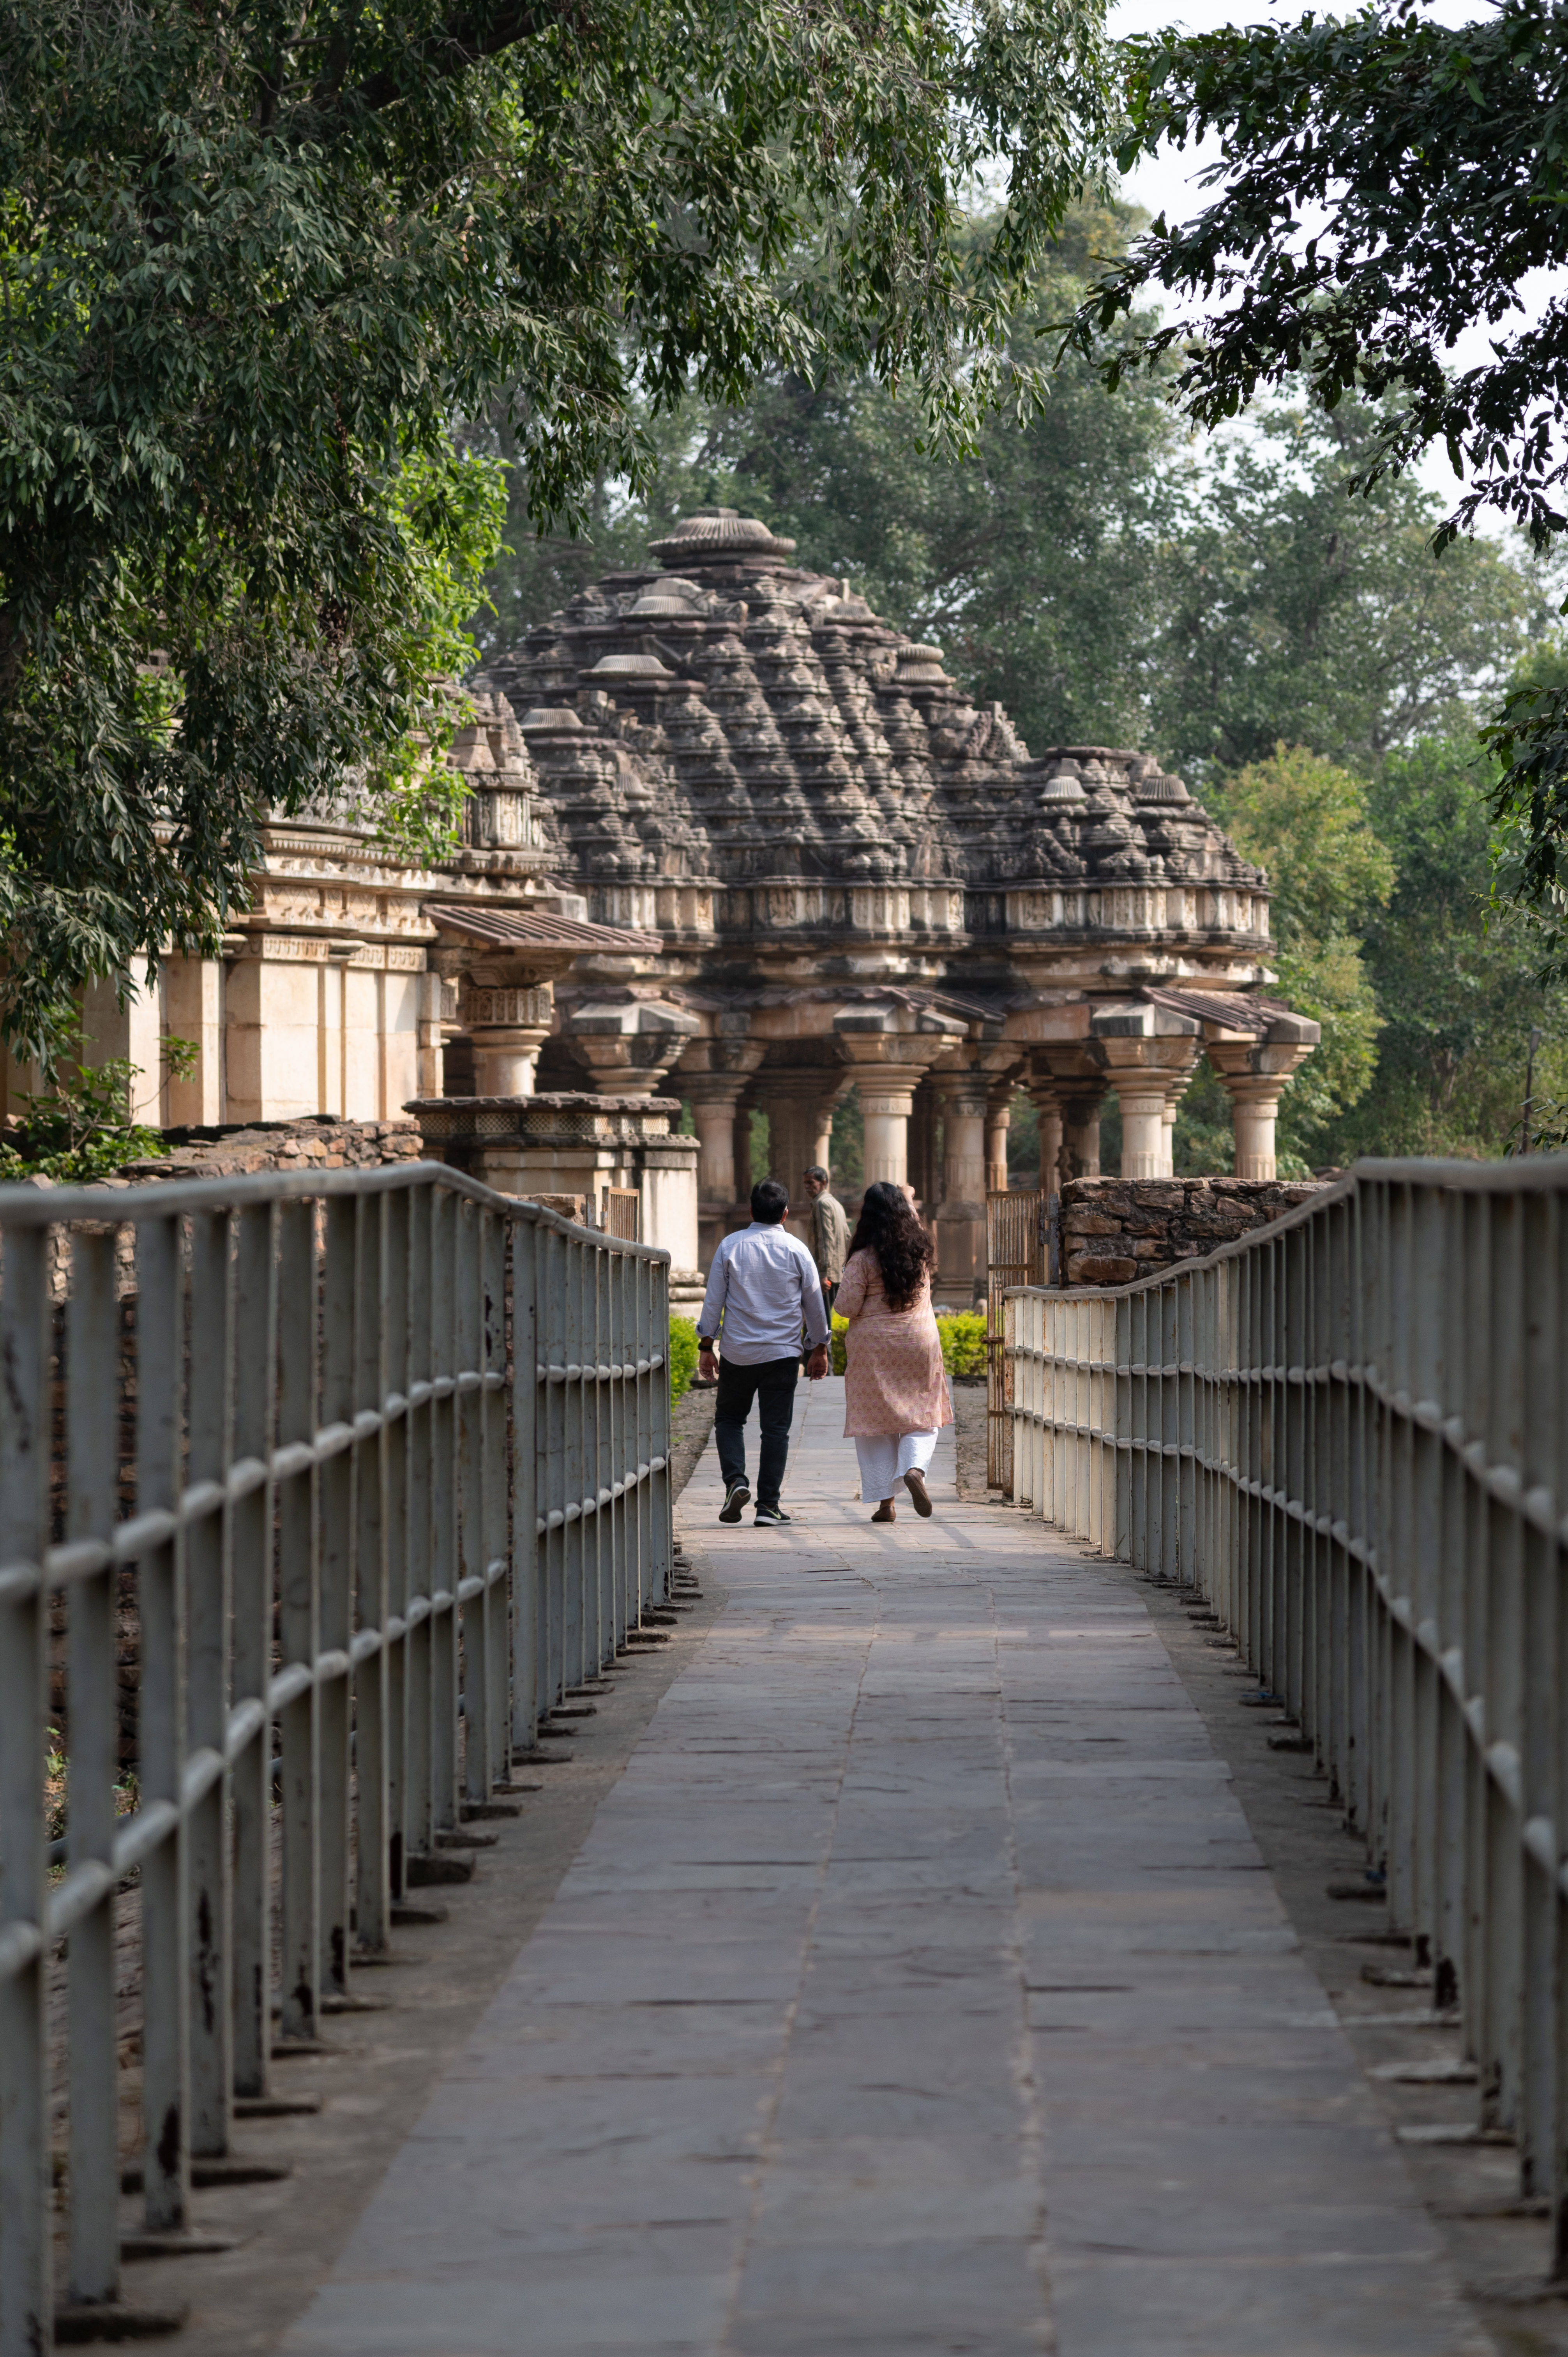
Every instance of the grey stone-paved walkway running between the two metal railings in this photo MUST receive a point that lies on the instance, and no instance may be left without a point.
(918, 1990)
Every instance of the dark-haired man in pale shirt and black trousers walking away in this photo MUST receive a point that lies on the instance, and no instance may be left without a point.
(763, 1290)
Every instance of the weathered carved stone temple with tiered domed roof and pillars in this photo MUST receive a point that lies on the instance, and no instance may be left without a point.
(739, 843)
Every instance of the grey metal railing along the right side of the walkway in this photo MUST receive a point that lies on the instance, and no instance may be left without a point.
(1352, 1434)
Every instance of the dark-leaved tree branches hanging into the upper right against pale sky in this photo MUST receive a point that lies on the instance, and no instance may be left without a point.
(1388, 185)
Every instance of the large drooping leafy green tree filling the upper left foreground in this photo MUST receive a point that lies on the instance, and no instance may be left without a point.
(261, 263)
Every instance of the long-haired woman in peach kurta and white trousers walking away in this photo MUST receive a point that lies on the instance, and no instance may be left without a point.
(895, 1385)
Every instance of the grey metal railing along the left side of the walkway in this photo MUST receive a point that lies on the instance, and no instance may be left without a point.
(378, 1465)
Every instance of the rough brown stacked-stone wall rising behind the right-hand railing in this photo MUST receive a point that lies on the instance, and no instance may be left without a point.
(1121, 1229)
